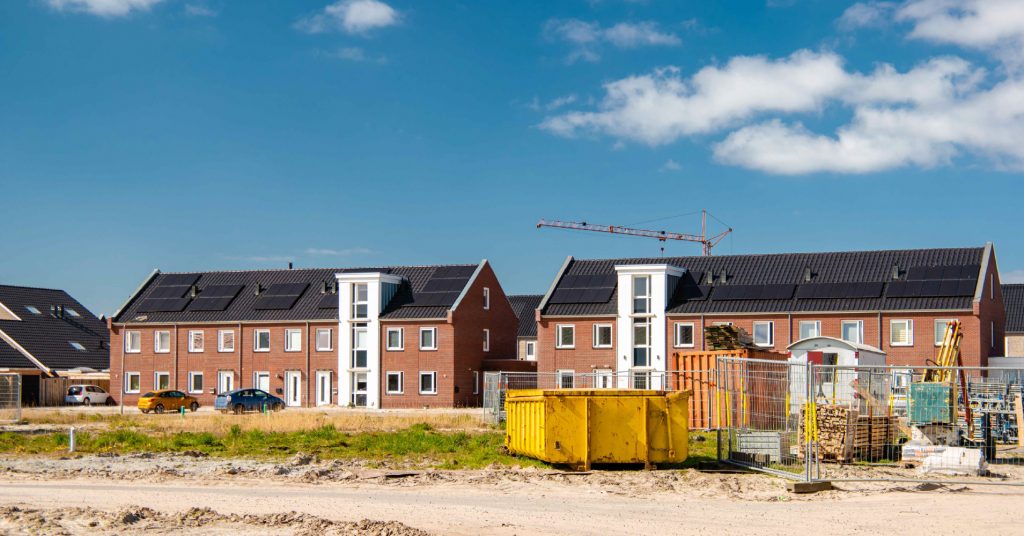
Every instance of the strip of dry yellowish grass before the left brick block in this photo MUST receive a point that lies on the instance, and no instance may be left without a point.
(285, 422)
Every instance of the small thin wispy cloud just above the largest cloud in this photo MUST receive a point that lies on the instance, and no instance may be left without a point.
(588, 38)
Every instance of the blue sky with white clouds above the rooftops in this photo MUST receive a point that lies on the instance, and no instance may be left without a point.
(190, 135)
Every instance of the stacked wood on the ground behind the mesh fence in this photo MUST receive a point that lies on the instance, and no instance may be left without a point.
(845, 436)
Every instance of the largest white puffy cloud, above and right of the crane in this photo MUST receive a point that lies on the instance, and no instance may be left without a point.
(923, 117)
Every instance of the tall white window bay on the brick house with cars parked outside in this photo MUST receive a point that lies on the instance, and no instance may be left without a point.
(362, 298)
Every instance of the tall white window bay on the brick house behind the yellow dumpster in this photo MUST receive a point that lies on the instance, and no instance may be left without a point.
(645, 292)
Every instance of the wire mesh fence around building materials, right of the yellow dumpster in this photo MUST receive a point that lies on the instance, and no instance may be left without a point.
(833, 423)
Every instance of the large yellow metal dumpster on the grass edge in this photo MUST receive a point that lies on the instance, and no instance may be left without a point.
(584, 427)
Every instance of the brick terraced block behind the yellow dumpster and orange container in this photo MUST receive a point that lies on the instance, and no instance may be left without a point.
(615, 316)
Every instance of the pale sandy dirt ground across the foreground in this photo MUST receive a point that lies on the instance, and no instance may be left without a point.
(199, 496)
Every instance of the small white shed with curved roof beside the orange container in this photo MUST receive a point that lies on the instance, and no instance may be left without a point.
(847, 368)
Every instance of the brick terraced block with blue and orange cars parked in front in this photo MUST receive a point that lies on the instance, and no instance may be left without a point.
(388, 338)
